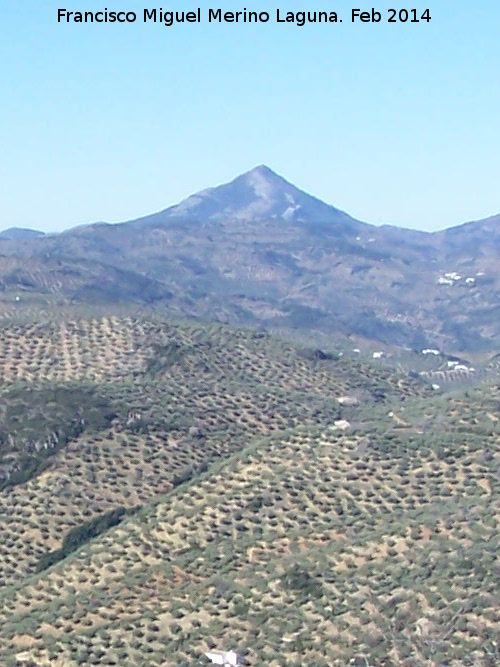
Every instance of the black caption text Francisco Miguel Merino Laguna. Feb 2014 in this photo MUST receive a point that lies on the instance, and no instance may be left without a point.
(170, 18)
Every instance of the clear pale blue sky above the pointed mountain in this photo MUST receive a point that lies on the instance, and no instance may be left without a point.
(395, 124)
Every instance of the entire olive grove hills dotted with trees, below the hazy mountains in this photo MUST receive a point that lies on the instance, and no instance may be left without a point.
(209, 487)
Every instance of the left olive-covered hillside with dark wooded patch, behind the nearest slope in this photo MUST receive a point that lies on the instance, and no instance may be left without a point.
(159, 401)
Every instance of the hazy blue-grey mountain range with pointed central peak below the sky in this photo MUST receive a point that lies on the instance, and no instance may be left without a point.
(258, 251)
